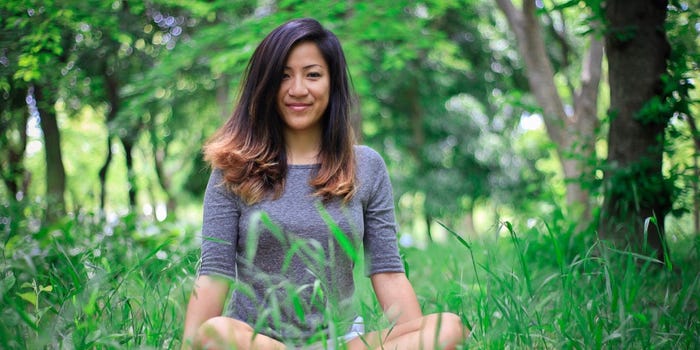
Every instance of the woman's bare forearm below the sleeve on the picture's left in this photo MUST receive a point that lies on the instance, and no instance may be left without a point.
(207, 301)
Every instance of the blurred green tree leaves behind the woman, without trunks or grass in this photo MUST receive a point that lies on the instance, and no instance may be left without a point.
(441, 91)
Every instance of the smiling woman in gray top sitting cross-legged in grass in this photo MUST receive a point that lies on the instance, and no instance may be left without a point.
(289, 202)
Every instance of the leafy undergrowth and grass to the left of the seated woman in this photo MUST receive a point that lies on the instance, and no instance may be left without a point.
(86, 282)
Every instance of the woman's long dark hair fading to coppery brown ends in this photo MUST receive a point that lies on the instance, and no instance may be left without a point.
(250, 149)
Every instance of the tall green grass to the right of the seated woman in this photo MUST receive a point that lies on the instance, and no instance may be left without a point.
(542, 289)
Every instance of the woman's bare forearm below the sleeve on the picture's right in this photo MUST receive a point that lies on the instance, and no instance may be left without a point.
(396, 296)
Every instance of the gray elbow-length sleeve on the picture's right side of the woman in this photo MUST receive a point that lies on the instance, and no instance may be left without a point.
(380, 243)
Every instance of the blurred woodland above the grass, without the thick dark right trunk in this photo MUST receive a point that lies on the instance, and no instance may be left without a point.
(482, 115)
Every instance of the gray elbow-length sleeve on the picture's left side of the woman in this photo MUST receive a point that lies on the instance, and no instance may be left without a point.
(221, 213)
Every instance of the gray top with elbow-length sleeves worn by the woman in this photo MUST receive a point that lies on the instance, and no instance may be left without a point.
(292, 258)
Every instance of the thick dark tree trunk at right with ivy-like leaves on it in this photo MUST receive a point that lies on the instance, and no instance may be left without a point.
(635, 188)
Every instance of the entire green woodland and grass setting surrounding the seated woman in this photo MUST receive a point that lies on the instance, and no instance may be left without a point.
(531, 144)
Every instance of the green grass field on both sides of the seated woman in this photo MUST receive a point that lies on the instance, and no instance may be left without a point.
(91, 283)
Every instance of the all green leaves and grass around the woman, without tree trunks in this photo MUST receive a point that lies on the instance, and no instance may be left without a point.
(442, 95)
